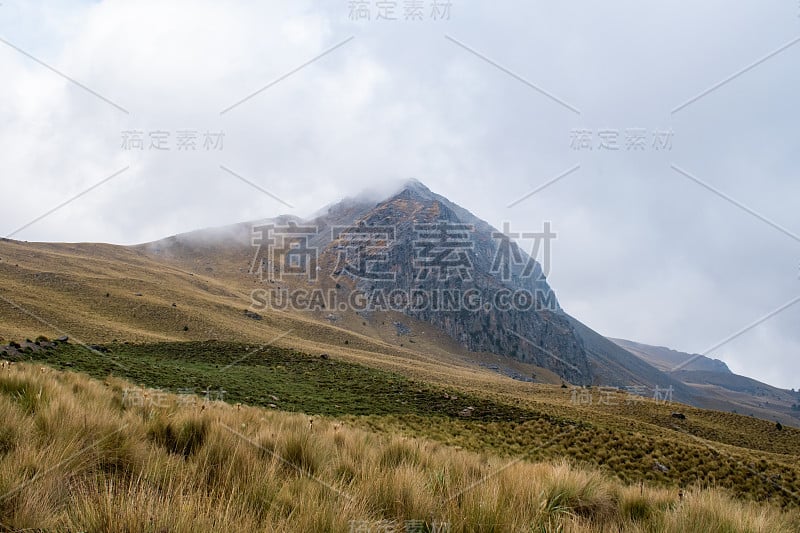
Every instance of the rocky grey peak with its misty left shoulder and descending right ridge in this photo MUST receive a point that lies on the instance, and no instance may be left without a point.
(420, 255)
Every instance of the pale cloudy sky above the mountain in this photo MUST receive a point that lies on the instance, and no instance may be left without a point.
(666, 133)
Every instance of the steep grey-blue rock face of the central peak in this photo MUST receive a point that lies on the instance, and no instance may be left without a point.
(481, 288)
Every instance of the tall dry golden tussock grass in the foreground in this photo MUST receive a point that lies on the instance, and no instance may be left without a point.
(75, 456)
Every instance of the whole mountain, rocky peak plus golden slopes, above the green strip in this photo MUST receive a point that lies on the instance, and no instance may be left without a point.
(410, 274)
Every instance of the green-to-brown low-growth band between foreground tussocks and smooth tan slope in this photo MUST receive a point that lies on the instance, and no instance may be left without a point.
(627, 438)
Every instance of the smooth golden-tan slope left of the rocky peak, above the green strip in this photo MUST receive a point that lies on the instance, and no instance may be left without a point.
(89, 291)
